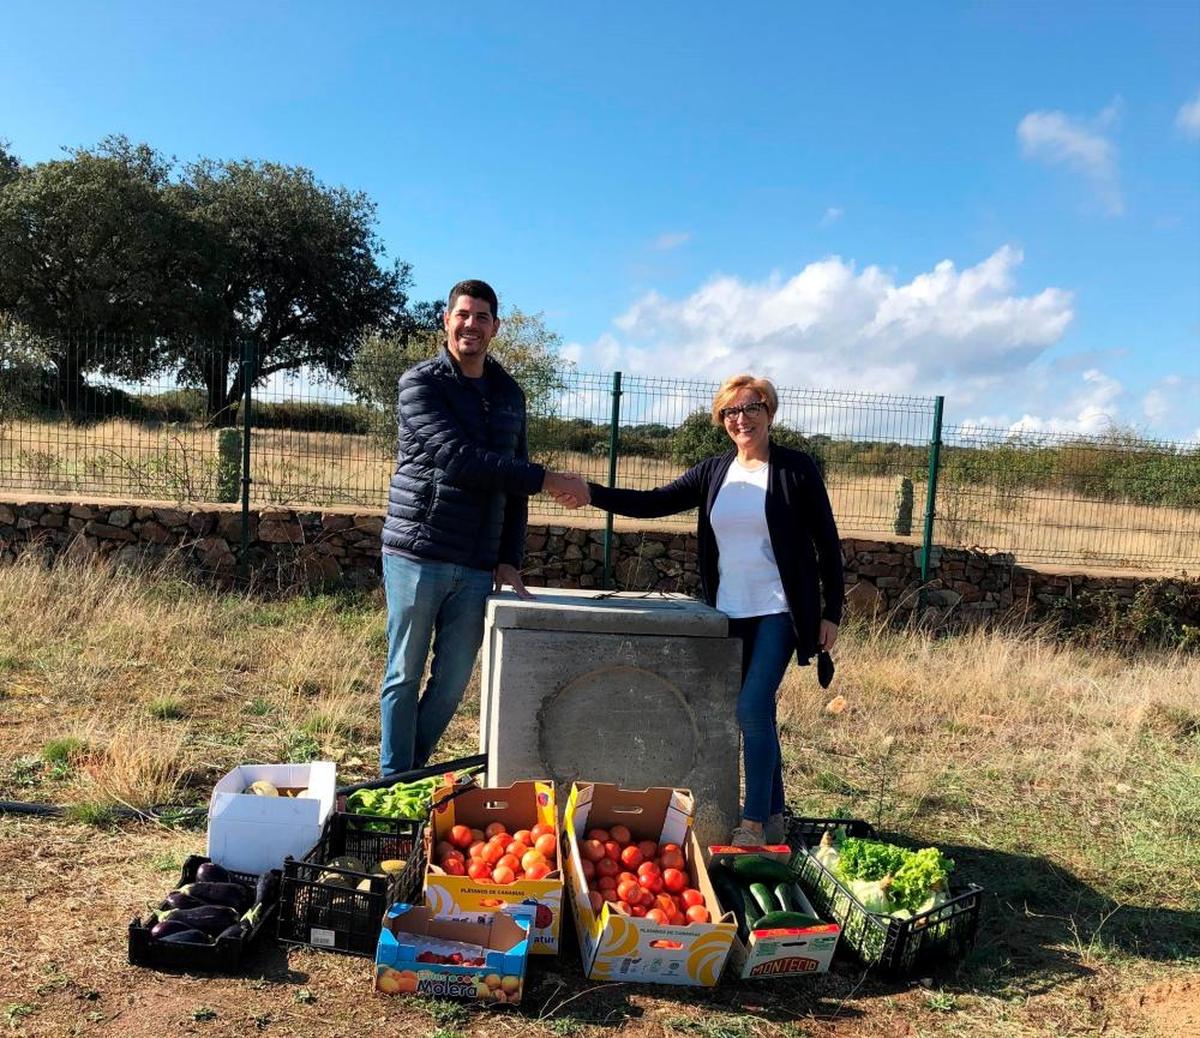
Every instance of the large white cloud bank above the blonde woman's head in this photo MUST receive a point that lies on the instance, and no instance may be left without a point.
(833, 327)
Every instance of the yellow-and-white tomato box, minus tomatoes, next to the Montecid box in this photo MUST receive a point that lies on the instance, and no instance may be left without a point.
(617, 947)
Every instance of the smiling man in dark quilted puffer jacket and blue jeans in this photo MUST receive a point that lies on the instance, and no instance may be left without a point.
(457, 523)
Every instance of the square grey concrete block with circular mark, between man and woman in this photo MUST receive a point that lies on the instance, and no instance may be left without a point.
(634, 689)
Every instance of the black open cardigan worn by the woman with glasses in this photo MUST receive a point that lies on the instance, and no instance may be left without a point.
(800, 521)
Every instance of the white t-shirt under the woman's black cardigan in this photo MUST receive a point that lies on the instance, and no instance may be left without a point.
(749, 578)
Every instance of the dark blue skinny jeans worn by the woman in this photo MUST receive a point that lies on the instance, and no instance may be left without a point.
(767, 646)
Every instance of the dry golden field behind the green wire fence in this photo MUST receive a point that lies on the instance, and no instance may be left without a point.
(137, 460)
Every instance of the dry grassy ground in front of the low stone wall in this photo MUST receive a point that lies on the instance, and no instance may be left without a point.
(1065, 782)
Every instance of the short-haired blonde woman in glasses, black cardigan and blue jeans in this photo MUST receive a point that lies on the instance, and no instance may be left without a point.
(769, 555)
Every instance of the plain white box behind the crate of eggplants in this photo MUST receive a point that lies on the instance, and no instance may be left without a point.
(254, 835)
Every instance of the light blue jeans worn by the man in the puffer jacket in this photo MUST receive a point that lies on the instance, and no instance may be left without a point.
(427, 601)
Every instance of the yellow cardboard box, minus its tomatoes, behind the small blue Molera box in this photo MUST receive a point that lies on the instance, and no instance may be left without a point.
(519, 807)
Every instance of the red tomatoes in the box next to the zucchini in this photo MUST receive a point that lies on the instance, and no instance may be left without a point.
(640, 878)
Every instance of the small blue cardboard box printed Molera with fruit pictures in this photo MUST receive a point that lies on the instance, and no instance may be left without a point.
(412, 931)
